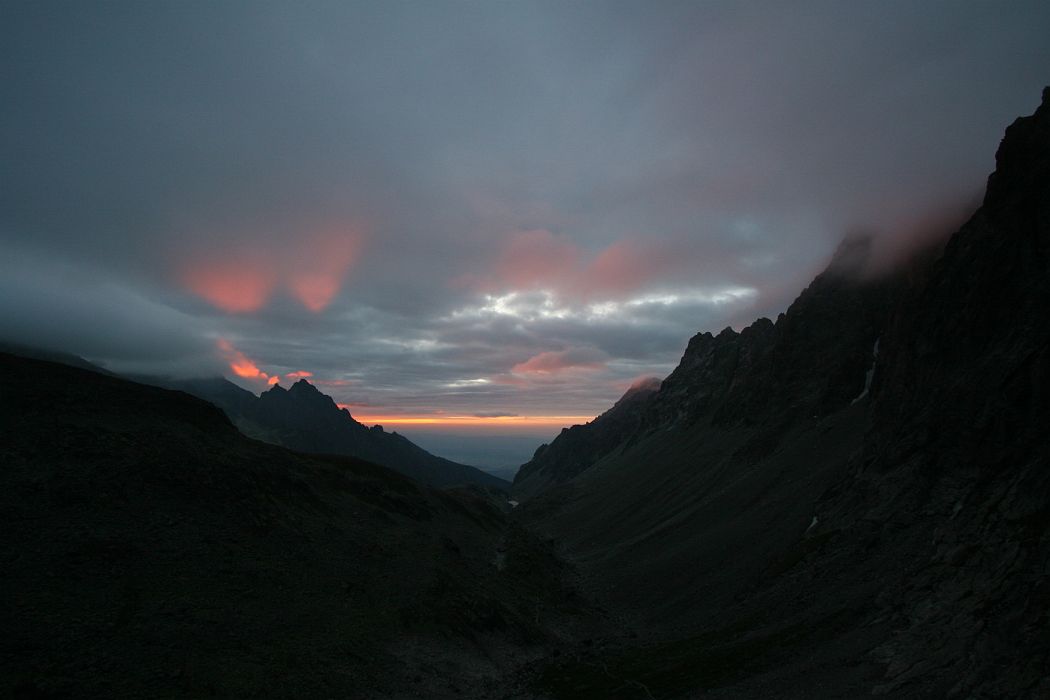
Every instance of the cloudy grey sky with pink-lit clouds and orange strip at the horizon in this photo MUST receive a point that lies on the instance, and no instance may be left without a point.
(473, 216)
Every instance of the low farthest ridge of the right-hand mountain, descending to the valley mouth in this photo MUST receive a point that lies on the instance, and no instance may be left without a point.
(577, 449)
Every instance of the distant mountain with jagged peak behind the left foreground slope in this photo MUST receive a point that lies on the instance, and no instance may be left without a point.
(303, 418)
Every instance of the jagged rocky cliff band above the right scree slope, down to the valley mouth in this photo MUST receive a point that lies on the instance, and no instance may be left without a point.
(812, 363)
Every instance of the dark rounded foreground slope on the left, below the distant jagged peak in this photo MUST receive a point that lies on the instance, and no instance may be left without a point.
(152, 550)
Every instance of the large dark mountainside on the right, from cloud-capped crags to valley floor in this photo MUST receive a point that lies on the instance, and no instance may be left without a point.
(851, 501)
